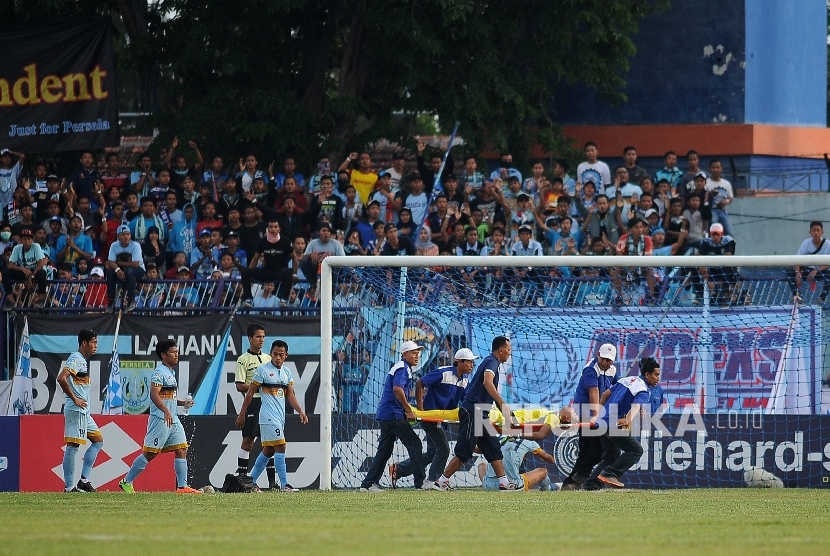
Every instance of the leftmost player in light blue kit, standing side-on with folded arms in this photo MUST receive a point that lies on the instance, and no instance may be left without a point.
(78, 423)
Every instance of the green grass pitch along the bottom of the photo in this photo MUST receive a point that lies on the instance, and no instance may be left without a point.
(702, 521)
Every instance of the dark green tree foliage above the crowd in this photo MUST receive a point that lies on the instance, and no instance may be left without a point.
(312, 76)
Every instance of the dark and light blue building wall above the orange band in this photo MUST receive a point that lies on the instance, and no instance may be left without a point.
(710, 61)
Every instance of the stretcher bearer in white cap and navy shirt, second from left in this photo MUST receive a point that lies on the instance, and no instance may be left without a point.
(444, 389)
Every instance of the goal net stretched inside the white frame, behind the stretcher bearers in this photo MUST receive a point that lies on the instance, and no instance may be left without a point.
(742, 357)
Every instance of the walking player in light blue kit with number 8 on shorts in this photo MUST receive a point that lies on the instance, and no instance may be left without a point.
(165, 432)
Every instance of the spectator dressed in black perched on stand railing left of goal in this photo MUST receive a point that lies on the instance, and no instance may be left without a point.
(275, 251)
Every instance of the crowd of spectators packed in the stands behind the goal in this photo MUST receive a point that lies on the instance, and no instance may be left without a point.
(192, 220)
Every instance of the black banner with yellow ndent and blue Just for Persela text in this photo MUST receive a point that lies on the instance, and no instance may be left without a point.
(57, 86)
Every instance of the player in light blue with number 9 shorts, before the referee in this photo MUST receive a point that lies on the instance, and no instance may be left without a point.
(274, 382)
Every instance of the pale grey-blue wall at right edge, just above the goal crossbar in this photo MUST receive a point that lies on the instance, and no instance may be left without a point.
(777, 224)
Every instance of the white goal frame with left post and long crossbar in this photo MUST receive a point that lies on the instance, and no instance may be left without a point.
(330, 263)
